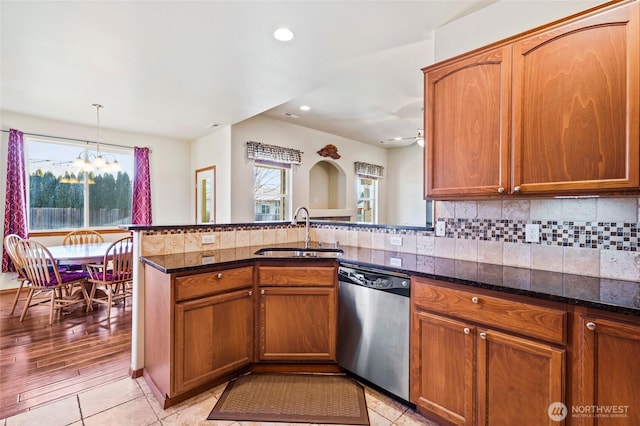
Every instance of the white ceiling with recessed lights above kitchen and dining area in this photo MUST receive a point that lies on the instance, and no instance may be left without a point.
(172, 68)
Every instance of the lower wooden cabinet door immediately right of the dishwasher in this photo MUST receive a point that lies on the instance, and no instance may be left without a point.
(442, 367)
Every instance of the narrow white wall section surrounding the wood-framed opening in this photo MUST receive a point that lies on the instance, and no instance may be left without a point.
(214, 149)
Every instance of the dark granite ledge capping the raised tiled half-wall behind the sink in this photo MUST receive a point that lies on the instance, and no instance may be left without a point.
(131, 227)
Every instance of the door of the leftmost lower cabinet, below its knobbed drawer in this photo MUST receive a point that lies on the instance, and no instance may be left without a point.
(214, 336)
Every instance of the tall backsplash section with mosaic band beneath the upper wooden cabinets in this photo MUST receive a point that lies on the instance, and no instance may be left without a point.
(585, 236)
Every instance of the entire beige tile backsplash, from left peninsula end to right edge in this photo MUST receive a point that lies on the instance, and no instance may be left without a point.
(592, 237)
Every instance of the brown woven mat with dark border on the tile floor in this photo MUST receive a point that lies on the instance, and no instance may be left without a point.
(293, 398)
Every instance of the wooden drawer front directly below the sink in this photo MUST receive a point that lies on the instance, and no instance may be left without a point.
(297, 275)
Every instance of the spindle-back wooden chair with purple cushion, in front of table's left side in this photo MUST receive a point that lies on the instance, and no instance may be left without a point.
(65, 288)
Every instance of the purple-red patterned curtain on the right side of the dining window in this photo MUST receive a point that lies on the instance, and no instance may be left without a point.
(141, 199)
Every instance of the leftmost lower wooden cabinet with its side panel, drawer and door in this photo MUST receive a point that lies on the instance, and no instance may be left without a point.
(198, 329)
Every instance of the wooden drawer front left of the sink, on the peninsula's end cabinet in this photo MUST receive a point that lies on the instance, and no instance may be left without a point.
(197, 285)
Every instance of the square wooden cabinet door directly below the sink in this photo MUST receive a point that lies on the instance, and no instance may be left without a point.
(297, 323)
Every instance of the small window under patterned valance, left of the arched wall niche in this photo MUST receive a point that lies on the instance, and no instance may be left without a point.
(270, 191)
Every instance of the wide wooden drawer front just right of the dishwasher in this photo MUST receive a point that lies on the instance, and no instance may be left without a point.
(523, 318)
